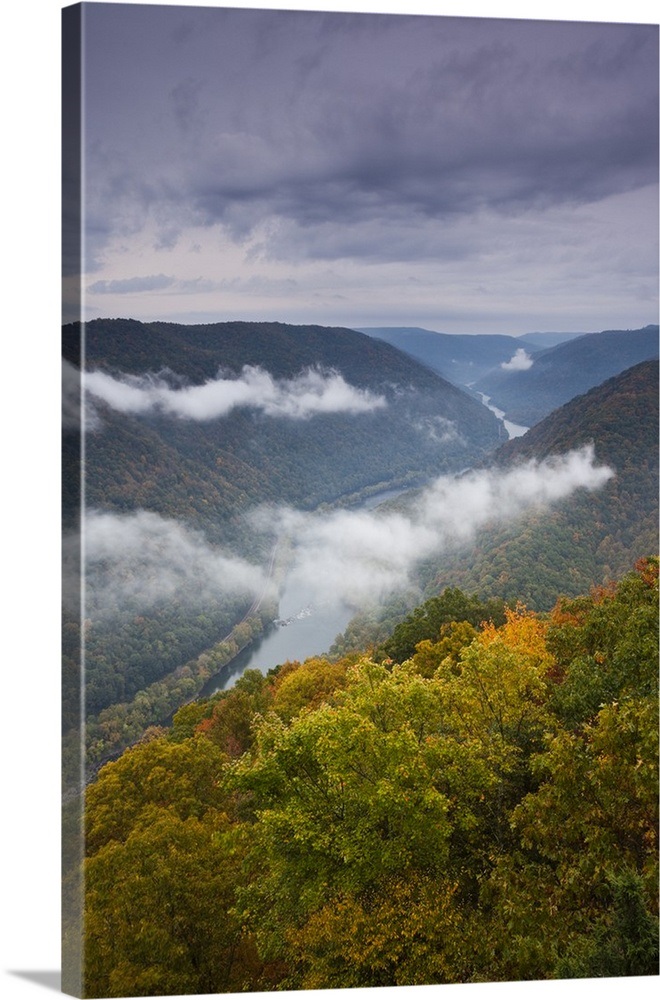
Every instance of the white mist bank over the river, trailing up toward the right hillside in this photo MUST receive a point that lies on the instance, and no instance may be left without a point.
(360, 556)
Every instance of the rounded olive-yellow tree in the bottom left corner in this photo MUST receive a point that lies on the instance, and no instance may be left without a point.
(159, 917)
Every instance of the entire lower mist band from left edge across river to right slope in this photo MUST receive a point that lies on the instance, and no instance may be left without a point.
(354, 557)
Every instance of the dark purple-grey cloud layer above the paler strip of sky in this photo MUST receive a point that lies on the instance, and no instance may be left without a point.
(333, 119)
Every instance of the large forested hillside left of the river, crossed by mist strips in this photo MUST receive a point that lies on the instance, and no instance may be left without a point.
(176, 575)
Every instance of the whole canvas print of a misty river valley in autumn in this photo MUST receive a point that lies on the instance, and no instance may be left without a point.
(360, 500)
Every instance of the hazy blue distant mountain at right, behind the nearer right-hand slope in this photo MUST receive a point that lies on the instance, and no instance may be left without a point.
(553, 377)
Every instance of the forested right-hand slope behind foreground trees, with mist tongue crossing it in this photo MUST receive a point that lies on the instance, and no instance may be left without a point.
(592, 538)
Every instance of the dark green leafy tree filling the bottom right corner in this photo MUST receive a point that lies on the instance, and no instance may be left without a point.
(580, 887)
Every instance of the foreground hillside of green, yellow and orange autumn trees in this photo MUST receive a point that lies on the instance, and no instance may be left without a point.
(485, 809)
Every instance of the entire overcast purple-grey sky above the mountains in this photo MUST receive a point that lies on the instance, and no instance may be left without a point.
(467, 175)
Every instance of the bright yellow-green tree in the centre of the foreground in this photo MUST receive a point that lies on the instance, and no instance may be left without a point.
(360, 808)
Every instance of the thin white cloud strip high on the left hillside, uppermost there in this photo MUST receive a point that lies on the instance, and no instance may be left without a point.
(311, 392)
